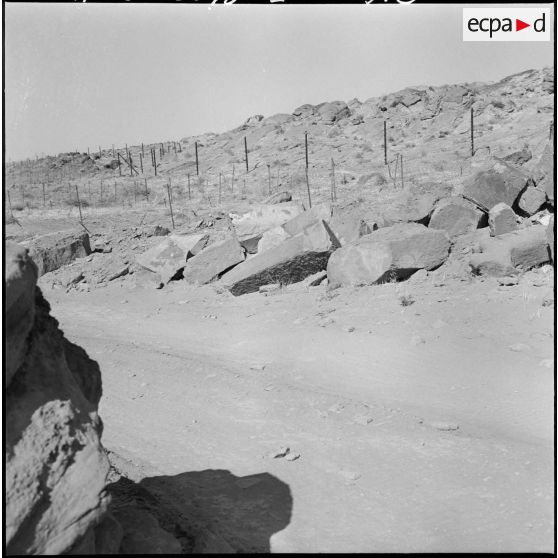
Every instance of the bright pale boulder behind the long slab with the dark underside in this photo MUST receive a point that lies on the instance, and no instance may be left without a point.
(250, 226)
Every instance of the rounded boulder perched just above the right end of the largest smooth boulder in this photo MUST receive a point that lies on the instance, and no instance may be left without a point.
(456, 216)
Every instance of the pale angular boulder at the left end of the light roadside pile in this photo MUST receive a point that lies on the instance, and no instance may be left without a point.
(169, 257)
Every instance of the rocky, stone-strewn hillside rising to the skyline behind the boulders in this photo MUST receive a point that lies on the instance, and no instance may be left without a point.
(428, 136)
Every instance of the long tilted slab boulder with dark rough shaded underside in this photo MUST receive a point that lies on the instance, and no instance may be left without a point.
(290, 262)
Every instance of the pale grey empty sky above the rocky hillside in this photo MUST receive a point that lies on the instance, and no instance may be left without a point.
(83, 75)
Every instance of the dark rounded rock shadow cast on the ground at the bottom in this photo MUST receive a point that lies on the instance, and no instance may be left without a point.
(211, 511)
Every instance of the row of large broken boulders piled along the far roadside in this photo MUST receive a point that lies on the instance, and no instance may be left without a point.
(281, 243)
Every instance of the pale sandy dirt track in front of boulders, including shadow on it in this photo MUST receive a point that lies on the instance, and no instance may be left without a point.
(425, 427)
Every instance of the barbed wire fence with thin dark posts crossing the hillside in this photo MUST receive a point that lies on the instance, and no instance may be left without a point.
(143, 175)
